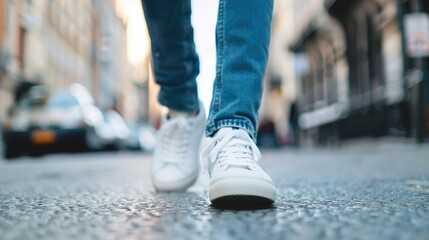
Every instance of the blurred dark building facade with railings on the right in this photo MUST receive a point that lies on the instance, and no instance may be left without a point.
(352, 69)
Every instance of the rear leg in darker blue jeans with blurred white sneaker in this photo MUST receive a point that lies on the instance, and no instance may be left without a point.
(175, 62)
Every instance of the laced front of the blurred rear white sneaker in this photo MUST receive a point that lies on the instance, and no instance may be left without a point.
(173, 139)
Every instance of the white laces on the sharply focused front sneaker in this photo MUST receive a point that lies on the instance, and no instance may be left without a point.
(230, 151)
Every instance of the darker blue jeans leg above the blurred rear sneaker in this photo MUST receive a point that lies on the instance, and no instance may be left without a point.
(174, 58)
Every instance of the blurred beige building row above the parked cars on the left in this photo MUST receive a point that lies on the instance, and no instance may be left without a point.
(56, 43)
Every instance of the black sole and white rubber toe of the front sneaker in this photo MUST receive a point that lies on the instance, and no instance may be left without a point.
(242, 193)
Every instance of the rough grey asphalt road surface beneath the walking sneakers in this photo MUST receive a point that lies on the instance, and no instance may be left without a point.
(369, 191)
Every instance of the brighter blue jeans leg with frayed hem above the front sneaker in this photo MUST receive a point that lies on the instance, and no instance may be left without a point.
(242, 40)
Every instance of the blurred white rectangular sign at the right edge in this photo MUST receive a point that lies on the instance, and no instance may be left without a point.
(417, 34)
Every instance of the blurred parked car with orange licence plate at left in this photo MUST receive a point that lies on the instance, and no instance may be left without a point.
(43, 123)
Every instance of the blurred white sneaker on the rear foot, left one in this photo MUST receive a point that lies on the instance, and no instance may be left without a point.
(175, 165)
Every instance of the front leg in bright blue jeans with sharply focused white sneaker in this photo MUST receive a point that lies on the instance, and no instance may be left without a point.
(242, 35)
